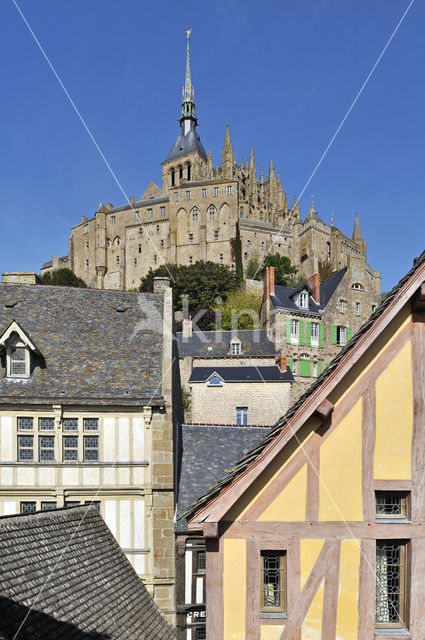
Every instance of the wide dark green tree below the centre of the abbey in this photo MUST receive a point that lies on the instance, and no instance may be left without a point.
(202, 282)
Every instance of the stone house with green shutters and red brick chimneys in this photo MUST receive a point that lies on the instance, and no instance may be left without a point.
(310, 324)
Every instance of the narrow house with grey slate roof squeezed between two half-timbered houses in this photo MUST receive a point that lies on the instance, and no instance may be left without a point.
(204, 453)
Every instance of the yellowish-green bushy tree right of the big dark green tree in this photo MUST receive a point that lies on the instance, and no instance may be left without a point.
(240, 311)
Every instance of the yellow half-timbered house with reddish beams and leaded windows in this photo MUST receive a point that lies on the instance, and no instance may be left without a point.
(318, 531)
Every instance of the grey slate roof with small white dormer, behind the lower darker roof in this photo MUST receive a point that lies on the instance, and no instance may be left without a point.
(215, 344)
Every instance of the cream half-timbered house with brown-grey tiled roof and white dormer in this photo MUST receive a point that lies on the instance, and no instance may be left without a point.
(87, 413)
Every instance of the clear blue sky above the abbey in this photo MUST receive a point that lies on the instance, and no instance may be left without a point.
(281, 73)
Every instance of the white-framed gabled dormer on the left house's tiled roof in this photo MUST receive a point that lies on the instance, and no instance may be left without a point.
(18, 348)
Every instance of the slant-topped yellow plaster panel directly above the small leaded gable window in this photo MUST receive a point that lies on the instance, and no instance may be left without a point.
(394, 419)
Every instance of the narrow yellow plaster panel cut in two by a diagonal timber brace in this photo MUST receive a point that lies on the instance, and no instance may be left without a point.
(312, 625)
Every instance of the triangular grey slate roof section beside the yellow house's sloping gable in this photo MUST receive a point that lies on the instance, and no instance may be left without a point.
(207, 452)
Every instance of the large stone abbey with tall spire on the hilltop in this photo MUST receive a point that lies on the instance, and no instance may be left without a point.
(194, 214)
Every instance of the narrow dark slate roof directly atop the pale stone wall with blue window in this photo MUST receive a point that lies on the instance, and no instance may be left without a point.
(242, 374)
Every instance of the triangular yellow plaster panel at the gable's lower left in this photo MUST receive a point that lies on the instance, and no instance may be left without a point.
(291, 502)
